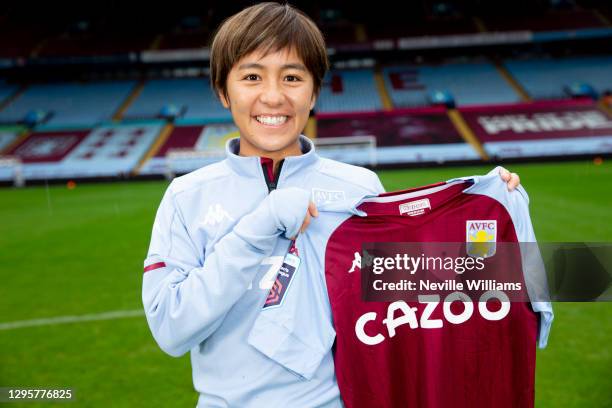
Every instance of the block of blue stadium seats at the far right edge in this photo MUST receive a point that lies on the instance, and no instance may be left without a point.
(546, 78)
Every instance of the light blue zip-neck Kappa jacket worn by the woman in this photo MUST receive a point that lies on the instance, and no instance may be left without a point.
(218, 241)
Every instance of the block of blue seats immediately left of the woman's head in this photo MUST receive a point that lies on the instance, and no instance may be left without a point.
(192, 96)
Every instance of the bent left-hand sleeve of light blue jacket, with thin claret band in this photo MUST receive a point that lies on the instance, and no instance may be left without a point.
(185, 299)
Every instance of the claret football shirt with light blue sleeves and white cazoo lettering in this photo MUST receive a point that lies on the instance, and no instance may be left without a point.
(473, 363)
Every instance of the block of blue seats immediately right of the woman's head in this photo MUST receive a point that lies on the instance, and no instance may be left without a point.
(349, 91)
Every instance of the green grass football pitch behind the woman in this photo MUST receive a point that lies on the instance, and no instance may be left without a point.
(80, 251)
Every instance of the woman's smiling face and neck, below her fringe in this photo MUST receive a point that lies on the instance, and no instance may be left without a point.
(270, 98)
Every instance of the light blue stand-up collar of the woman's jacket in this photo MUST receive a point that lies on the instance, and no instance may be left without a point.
(250, 166)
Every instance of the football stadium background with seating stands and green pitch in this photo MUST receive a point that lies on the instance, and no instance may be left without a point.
(102, 105)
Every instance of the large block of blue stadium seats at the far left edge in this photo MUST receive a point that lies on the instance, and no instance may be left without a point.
(70, 104)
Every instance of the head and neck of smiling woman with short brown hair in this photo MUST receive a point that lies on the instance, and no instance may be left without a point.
(267, 66)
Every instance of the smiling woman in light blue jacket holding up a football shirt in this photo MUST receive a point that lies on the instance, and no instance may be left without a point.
(221, 232)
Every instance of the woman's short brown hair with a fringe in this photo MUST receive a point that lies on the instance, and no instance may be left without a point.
(270, 27)
